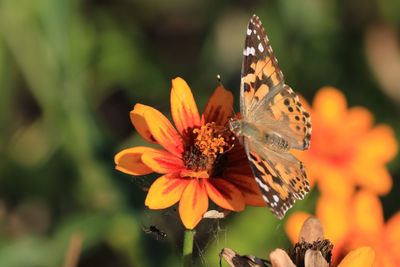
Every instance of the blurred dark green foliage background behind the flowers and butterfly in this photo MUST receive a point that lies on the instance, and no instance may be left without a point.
(70, 72)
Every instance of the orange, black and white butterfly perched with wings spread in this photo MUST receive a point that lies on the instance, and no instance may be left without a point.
(273, 121)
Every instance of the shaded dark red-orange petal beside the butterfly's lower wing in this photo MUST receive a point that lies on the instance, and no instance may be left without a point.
(248, 187)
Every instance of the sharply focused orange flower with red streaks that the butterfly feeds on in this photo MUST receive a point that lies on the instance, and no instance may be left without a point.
(200, 159)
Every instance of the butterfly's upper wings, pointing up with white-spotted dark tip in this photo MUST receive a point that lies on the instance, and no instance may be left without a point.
(264, 95)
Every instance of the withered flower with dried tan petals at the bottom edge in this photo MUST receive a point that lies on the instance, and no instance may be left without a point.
(311, 250)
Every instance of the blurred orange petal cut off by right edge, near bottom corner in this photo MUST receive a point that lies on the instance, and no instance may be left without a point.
(392, 236)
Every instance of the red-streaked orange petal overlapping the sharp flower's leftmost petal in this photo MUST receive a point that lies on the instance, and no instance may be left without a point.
(161, 161)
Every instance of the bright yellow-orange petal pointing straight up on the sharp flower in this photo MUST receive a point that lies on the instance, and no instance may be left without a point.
(183, 107)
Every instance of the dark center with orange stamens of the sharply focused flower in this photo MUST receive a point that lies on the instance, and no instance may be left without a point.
(204, 149)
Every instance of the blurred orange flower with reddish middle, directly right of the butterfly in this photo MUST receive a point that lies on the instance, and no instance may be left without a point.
(347, 150)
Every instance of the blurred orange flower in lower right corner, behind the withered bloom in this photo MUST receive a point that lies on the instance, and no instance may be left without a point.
(353, 223)
